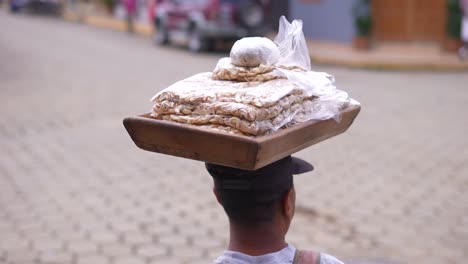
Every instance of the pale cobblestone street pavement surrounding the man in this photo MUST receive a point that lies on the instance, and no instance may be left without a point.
(74, 188)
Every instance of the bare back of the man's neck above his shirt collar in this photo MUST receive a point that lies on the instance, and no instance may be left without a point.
(256, 241)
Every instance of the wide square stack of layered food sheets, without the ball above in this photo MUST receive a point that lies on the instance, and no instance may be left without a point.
(253, 108)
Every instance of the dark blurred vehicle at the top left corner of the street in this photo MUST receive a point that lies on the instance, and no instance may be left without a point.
(46, 6)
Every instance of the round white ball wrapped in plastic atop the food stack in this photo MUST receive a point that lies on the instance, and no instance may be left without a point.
(253, 51)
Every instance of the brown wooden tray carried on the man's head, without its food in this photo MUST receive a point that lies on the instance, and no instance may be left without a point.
(237, 151)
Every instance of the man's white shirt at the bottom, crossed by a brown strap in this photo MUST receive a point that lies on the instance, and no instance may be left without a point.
(284, 256)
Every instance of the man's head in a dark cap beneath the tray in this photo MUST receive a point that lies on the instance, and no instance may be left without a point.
(252, 198)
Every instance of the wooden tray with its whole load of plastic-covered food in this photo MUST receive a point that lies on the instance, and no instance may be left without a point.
(257, 106)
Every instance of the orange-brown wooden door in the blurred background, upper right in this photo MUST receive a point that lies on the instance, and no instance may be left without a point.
(409, 20)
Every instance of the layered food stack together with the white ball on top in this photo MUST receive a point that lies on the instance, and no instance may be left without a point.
(247, 93)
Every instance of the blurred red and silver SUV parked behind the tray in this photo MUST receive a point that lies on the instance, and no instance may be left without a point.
(201, 22)
